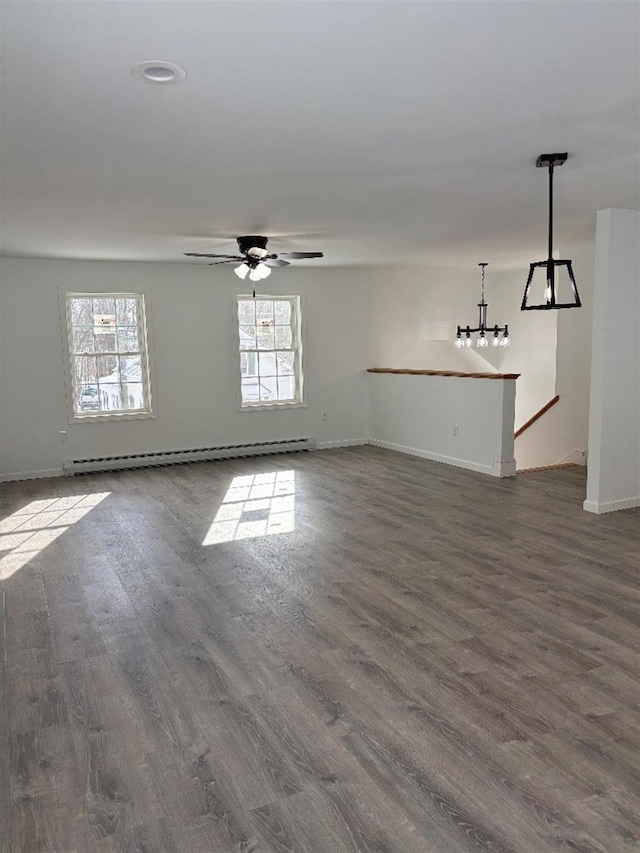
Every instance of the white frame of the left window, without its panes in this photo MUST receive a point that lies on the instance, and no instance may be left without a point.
(143, 315)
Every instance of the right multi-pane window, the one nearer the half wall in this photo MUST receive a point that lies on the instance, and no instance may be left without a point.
(270, 351)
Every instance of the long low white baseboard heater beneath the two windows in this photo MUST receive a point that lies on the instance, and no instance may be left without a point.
(175, 457)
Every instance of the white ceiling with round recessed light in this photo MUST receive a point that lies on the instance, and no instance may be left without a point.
(383, 131)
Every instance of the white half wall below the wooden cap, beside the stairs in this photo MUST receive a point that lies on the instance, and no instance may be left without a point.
(416, 414)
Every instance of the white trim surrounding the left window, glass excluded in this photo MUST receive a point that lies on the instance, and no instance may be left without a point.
(148, 364)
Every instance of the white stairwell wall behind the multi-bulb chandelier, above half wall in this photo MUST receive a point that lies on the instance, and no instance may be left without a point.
(414, 317)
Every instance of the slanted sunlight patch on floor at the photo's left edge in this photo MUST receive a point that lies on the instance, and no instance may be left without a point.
(28, 531)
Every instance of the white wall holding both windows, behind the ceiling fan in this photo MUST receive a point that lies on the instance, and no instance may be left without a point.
(195, 385)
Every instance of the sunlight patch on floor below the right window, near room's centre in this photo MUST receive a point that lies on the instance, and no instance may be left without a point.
(255, 505)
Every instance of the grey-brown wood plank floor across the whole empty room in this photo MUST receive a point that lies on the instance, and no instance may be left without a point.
(430, 661)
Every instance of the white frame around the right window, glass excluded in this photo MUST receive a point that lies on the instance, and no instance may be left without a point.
(298, 346)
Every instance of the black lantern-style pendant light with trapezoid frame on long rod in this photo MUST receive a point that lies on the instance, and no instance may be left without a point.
(550, 272)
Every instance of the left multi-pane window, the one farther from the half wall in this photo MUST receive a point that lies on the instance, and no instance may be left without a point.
(108, 357)
